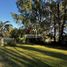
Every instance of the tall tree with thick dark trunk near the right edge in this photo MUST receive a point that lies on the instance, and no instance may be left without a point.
(61, 17)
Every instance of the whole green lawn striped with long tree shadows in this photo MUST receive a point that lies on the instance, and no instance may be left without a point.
(33, 56)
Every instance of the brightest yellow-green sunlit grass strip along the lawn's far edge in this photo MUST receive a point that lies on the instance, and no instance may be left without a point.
(48, 49)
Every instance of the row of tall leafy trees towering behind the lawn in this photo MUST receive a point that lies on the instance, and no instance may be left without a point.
(43, 16)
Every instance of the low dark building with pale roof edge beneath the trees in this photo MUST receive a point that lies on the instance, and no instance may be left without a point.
(34, 39)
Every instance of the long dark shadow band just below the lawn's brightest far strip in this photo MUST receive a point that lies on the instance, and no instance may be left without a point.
(49, 53)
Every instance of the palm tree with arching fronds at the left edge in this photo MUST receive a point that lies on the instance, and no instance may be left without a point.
(4, 27)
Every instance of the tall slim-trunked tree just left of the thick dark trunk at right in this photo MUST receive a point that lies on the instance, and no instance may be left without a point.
(53, 9)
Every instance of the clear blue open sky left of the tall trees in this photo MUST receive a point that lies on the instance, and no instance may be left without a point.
(6, 8)
